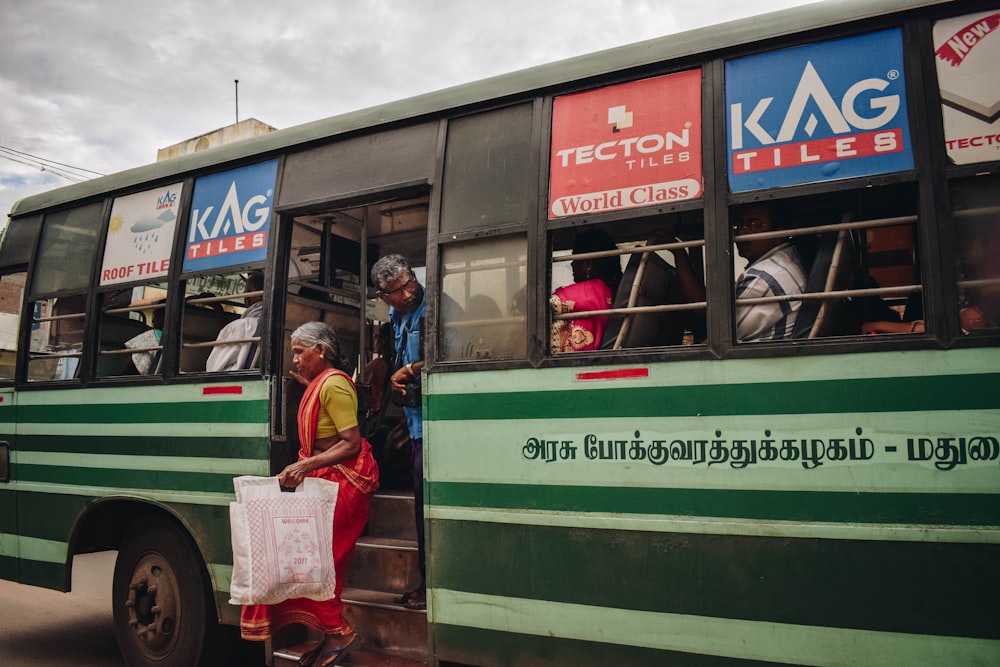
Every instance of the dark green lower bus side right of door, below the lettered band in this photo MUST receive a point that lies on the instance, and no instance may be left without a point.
(719, 595)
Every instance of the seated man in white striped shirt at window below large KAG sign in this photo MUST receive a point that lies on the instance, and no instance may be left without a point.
(774, 268)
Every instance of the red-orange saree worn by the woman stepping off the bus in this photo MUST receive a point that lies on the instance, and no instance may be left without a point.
(358, 478)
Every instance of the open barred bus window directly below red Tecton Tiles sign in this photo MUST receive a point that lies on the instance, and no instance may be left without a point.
(648, 277)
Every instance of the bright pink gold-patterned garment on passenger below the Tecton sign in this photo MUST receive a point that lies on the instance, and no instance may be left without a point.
(584, 333)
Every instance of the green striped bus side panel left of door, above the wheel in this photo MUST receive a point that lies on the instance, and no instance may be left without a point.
(91, 462)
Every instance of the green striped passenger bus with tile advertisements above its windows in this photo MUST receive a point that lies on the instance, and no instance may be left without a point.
(702, 460)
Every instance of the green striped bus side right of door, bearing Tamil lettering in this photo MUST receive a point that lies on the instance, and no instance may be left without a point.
(819, 511)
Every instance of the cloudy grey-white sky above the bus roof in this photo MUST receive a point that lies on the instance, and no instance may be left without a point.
(101, 85)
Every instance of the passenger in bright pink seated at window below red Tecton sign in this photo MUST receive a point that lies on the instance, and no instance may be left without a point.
(596, 283)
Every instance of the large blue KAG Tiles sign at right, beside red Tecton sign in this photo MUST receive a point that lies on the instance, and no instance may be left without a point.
(818, 112)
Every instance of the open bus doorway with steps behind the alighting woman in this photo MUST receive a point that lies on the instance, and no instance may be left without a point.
(330, 255)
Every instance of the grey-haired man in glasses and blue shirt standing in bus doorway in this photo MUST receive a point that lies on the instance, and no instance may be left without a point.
(399, 288)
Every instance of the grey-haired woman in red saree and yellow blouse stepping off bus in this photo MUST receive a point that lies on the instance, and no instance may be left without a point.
(331, 447)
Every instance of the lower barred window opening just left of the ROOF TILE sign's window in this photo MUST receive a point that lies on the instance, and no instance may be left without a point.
(57, 327)
